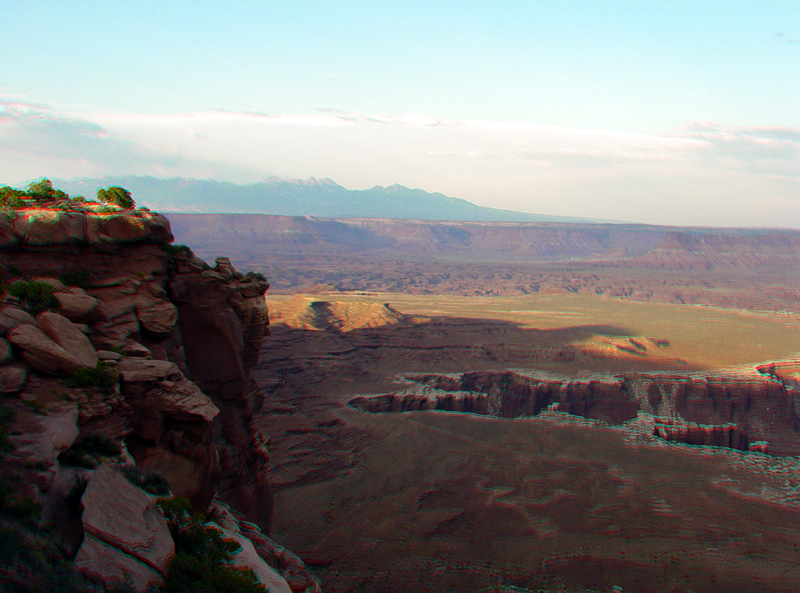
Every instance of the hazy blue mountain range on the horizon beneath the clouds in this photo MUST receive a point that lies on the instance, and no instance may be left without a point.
(294, 197)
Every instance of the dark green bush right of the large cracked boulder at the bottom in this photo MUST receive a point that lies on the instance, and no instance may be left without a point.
(200, 564)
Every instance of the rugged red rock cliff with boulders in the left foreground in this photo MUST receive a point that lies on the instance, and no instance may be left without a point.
(146, 349)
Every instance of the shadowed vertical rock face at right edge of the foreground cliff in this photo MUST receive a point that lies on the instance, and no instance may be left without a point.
(222, 322)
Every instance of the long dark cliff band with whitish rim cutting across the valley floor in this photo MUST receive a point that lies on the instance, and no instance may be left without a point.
(735, 409)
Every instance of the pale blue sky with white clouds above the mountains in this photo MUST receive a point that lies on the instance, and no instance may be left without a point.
(645, 111)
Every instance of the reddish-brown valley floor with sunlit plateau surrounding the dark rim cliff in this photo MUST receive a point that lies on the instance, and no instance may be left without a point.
(433, 501)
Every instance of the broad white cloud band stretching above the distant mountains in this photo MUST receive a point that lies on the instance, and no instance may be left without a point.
(703, 174)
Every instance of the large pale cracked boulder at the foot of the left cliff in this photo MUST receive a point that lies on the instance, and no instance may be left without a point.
(125, 533)
